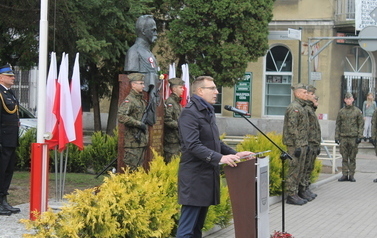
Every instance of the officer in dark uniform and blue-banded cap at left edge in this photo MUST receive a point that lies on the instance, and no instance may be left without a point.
(9, 126)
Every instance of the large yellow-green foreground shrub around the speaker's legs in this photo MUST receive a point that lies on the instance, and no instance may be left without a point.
(131, 205)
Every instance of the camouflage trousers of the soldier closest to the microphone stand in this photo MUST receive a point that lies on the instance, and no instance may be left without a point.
(295, 171)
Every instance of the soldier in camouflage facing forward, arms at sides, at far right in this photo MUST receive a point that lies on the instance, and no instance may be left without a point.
(348, 132)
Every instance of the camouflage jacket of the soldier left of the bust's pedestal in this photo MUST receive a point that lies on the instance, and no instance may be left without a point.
(130, 113)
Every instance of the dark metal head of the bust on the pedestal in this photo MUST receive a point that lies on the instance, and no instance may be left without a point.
(146, 28)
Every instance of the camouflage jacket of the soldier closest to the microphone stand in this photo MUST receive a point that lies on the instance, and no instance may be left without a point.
(296, 124)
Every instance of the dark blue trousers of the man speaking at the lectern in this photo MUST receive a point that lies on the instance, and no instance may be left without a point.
(194, 218)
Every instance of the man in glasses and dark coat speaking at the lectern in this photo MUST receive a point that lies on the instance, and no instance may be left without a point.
(202, 151)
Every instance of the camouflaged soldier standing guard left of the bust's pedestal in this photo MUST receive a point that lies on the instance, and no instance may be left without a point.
(130, 114)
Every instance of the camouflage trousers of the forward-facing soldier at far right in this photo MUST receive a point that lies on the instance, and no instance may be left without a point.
(348, 149)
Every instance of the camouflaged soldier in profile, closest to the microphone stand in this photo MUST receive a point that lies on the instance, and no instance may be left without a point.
(295, 137)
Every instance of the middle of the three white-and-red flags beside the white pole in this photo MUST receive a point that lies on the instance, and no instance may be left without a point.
(63, 106)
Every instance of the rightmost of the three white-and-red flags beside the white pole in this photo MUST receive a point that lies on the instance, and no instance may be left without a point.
(76, 104)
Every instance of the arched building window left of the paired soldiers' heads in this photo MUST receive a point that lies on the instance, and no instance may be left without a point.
(278, 81)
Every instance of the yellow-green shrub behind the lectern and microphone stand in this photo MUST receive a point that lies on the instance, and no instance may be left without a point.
(260, 143)
